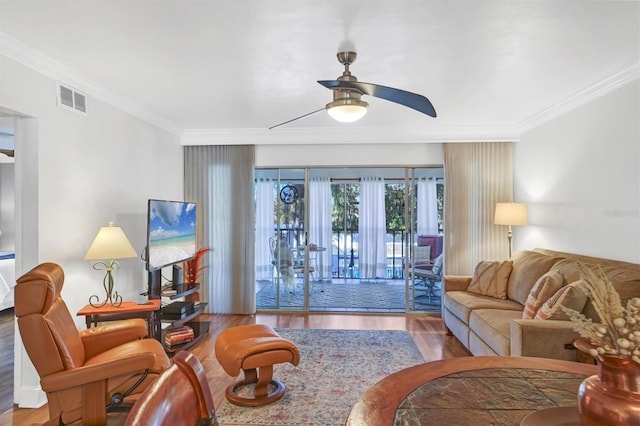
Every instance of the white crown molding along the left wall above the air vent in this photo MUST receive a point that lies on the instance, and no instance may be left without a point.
(45, 65)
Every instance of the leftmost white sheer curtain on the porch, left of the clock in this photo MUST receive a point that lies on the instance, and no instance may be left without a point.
(264, 228)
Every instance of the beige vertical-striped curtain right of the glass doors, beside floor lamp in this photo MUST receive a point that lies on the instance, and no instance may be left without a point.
(478, 176)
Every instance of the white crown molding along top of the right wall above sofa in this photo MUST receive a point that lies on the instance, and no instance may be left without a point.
(627, 75)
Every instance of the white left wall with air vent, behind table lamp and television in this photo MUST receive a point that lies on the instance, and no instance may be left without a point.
(90, 170)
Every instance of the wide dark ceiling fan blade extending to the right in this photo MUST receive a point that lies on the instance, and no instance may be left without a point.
(402, 97)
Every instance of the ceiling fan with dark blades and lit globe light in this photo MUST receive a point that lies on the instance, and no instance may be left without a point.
(347, 105)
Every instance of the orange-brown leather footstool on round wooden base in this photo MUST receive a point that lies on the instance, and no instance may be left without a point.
(254, 349)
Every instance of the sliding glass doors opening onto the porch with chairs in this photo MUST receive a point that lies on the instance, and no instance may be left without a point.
(342, 240)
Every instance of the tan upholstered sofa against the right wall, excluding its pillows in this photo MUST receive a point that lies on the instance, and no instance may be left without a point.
(492, 326)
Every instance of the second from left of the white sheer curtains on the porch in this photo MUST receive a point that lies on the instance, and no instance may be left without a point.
(320, 214)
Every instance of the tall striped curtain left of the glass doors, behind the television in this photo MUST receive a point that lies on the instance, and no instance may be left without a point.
(220, 179)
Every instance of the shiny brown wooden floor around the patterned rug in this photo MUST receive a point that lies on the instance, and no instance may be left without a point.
(427, 332)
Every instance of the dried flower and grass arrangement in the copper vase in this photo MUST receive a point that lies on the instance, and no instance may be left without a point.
(618, 332)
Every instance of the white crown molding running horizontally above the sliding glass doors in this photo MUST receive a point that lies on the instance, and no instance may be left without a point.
(348, 135)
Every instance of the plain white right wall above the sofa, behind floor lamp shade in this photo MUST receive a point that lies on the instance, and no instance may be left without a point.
(580, 175)
